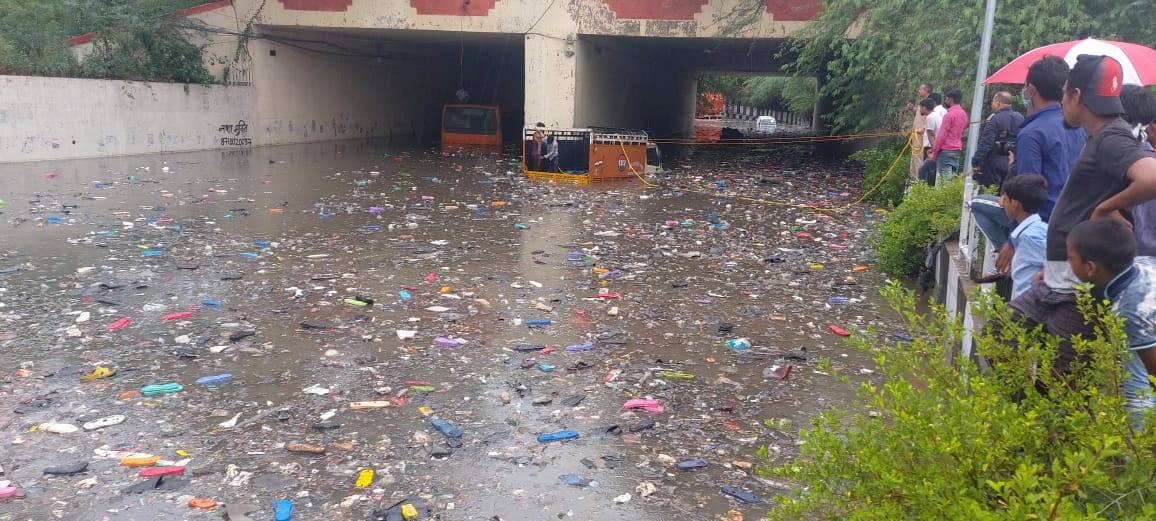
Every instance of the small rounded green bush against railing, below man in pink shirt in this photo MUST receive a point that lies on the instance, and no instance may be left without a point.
(924, 217)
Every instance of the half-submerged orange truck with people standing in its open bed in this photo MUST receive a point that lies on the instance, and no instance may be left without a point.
(586, 154)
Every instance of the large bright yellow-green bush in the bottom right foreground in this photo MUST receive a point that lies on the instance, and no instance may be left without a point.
(947, 442)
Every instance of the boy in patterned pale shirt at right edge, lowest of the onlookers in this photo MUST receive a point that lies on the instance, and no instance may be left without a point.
(1103, 252)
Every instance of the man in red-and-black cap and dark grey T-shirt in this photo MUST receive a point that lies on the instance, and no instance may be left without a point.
(1111, 175)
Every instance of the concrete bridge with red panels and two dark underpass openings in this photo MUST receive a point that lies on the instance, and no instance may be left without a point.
(327, 70)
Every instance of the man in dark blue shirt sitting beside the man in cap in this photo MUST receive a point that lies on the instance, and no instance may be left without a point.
(1044, 146)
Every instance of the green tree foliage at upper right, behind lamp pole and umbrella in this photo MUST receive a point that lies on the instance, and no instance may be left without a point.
(901, 43)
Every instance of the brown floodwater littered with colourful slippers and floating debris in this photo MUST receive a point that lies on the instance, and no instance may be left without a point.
(389, 326)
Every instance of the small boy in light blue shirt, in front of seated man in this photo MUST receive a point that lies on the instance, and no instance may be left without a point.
(1022, 198)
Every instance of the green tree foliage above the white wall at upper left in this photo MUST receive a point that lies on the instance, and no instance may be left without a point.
(138, 40)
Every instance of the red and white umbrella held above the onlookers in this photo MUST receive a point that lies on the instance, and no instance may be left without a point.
(1139, 62)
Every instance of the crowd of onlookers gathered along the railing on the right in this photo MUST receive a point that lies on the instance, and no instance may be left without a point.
(1075, 183)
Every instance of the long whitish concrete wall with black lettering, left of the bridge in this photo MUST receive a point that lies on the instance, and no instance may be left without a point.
(55, 118)
